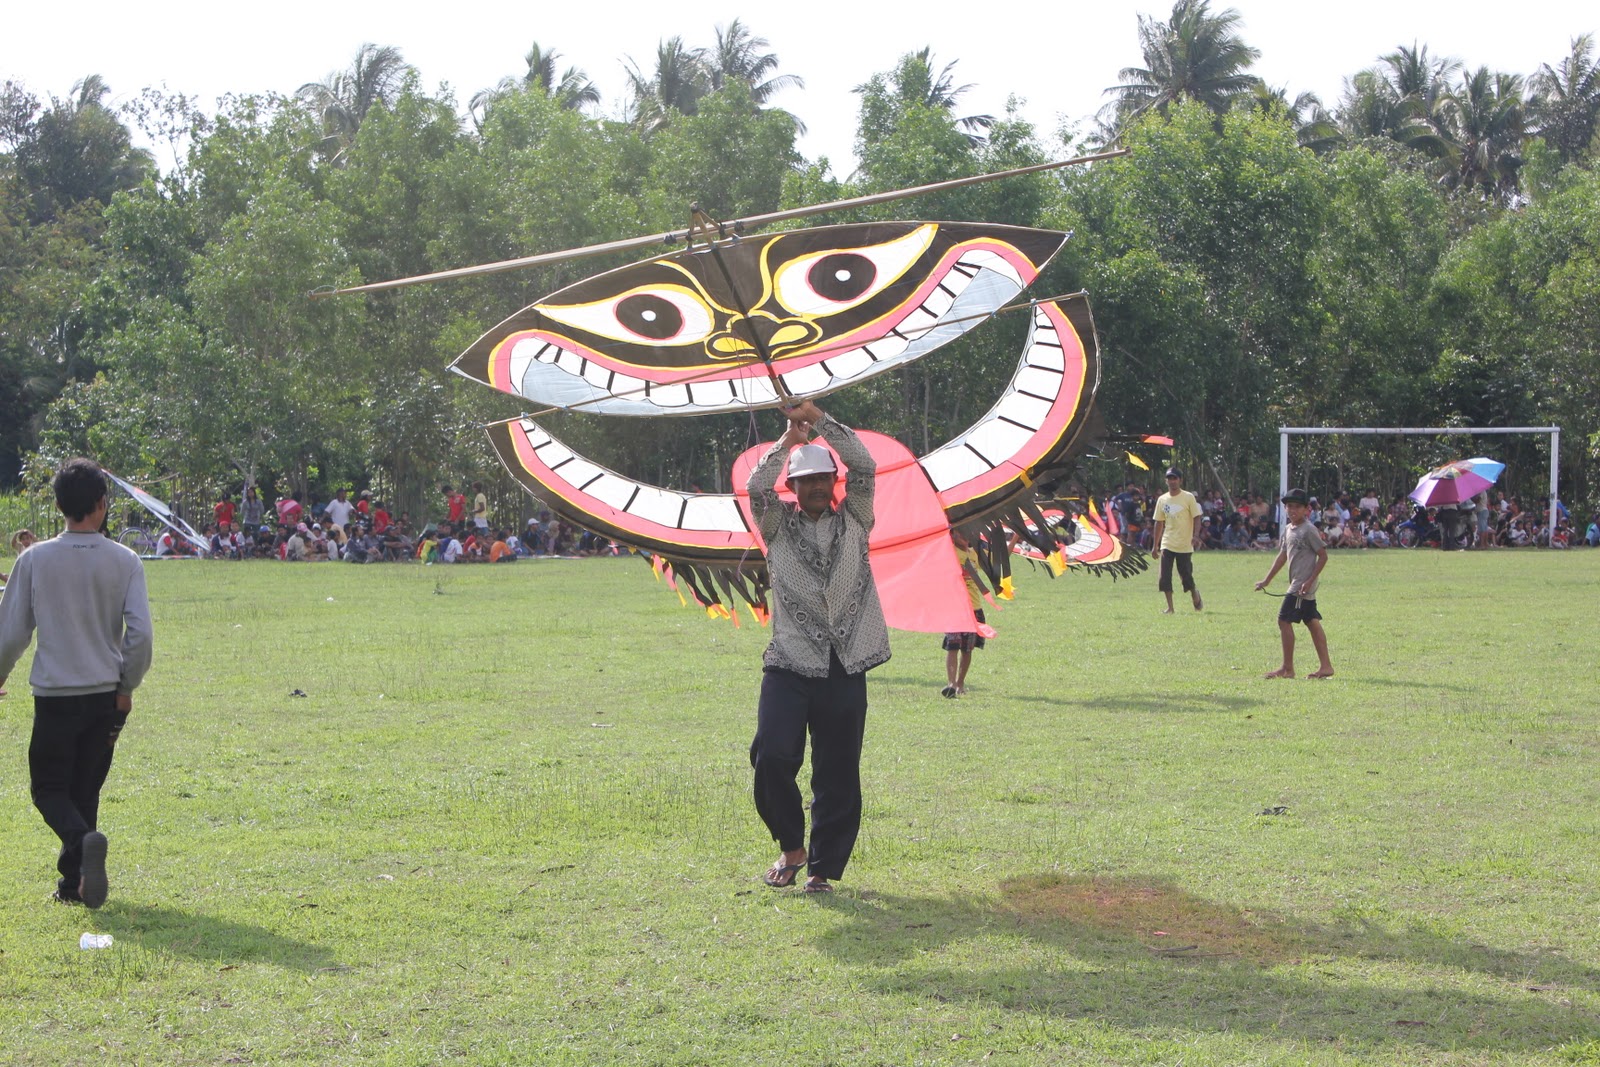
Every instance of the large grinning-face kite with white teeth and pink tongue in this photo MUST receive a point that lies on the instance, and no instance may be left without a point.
(738, 324)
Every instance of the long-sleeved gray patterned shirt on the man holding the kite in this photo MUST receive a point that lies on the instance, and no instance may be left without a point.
(823, 593)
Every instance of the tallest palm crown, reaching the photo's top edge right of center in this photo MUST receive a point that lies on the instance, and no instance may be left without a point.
(1196, 57)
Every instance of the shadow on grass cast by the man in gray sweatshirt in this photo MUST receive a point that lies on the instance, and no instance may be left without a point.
(207, 938)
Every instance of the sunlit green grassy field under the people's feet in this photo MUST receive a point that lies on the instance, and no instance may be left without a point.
(510, 825)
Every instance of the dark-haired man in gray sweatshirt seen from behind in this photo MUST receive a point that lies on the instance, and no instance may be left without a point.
(86, 596)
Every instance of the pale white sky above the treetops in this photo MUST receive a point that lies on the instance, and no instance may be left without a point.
(1058, 57)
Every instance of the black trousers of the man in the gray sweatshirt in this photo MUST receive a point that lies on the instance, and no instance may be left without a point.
(68, 762)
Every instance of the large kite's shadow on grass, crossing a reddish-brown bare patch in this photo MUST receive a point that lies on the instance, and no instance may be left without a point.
(1143, 956)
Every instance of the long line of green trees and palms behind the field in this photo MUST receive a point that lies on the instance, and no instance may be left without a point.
(1425, 252)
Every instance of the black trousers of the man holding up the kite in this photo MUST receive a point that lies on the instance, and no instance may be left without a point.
(834, 709)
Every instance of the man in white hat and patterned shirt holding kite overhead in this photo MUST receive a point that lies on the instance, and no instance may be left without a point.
(828, 633)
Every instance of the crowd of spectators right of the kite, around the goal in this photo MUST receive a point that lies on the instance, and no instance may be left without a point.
(1366, 522)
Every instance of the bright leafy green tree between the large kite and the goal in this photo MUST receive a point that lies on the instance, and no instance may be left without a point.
(1199, 254)
